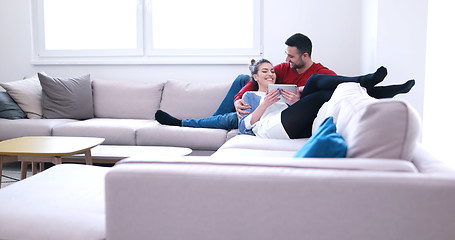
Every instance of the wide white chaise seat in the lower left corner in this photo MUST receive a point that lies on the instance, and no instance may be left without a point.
(64, 202)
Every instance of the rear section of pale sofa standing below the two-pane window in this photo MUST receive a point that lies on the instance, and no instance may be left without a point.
(124, 114)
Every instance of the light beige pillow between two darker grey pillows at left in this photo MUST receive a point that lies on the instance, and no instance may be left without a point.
(27, 94)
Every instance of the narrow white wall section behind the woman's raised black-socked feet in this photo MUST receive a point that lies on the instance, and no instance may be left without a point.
(402, 44)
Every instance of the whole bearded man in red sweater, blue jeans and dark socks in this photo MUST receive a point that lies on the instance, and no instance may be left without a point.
(296, 70)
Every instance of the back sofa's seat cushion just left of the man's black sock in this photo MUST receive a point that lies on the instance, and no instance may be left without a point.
(115, 131)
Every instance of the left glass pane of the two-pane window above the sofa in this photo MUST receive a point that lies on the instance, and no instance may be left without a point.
(85, 28)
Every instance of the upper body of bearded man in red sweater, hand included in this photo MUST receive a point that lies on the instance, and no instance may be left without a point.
(296, 70)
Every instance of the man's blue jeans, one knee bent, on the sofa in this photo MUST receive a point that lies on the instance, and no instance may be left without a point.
(225, 116)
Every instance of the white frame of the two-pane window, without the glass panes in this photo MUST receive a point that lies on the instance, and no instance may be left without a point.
(144, 53)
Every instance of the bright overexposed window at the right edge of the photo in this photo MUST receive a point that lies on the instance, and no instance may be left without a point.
(438, 111)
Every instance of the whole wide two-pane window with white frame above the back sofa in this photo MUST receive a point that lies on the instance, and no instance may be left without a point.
(146, 31)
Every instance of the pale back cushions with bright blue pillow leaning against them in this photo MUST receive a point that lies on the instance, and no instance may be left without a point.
(366, 127)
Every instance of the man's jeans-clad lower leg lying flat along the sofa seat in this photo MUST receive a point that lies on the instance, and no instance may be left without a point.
(226, 121)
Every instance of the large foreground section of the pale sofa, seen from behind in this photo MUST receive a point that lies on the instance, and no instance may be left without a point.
(387, 187)
